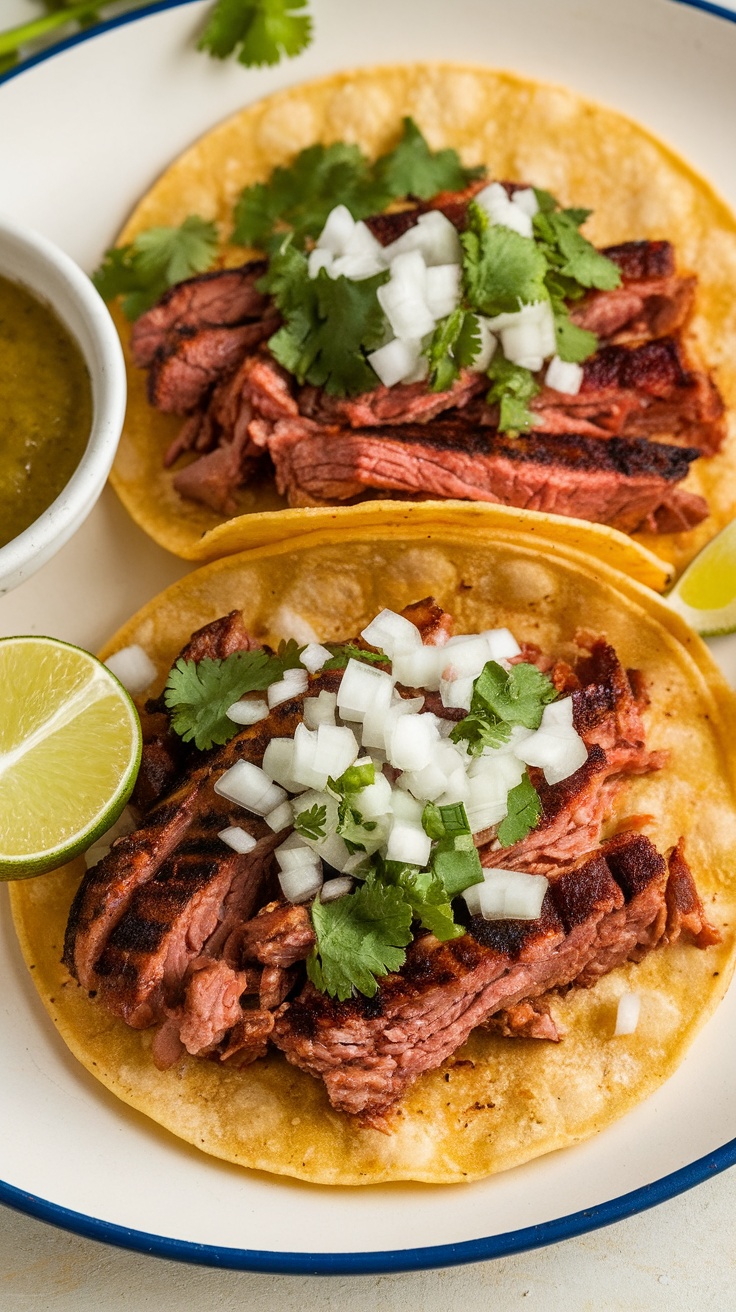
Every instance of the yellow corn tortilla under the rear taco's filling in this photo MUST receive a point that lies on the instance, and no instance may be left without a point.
(586, 154)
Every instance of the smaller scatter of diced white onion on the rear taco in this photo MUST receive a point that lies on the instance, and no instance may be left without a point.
(426, 287)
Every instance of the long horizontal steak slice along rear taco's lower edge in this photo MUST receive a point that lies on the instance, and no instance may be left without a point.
(629, 485)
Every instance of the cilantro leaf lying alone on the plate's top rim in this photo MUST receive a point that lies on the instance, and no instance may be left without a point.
(262, 31)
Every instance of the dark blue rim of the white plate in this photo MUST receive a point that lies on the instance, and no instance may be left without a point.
(390, 1260)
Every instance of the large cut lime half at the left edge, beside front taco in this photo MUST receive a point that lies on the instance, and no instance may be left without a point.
(70, 750)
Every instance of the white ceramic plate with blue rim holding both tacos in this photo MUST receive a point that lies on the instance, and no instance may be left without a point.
(82, 136)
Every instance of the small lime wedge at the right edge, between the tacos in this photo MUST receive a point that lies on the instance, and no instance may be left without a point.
(706, 594)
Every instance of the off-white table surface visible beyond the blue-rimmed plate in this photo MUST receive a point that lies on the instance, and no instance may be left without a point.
(679, 1258)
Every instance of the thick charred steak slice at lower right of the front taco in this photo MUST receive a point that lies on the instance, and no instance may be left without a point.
(371, 1052)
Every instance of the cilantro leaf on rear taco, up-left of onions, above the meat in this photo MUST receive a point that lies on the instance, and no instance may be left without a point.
(301, 196)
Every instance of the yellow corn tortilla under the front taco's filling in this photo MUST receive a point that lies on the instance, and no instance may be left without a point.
(497, 1103)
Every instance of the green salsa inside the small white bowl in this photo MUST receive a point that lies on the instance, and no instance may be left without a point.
(45, 409)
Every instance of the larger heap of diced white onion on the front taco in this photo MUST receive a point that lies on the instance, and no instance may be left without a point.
(413, 760)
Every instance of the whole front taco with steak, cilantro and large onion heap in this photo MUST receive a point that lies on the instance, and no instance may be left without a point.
(359, 1010)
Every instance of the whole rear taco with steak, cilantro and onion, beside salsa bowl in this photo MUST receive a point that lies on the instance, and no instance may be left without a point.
(241, 432)
